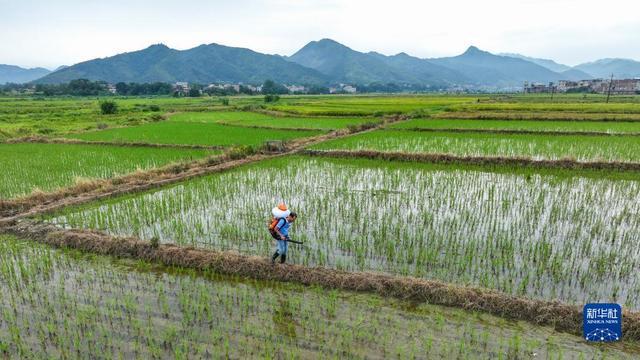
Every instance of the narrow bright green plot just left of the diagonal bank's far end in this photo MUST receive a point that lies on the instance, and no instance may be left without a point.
(262, 120)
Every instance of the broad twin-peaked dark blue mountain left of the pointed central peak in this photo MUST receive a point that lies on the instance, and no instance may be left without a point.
(203, 64)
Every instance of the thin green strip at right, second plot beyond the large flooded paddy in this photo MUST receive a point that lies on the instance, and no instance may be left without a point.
(542, 126)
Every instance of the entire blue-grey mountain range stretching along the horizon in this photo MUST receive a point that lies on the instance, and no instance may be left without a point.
(326, 62)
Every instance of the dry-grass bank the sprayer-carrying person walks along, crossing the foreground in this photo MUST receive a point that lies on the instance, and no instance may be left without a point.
(561, 316)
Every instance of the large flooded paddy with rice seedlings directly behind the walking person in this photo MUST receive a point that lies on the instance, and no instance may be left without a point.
(535, 234)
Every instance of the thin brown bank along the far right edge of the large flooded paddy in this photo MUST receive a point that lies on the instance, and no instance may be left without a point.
(437, 158)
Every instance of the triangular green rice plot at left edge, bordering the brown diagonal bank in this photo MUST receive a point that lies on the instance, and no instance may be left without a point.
(47, 167)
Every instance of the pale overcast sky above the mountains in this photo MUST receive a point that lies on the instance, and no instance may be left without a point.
(53, 33)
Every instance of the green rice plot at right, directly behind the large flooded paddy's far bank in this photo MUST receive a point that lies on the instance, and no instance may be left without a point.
(580, 147)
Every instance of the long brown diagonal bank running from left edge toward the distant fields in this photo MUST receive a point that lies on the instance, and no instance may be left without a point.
(97, 189)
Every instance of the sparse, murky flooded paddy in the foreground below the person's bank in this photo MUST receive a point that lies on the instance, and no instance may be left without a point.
(62, 304)
